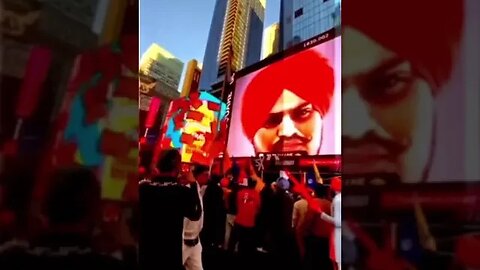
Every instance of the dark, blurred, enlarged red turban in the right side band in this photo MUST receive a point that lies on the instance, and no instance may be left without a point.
(426, 33)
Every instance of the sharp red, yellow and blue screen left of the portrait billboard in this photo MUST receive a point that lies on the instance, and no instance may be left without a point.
(192, 128)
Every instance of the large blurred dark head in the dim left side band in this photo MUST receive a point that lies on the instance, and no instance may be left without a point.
(73, 196)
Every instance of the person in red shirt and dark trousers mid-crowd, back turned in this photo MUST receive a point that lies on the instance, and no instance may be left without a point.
(248, 205)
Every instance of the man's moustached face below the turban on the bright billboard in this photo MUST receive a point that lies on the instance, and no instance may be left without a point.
(292, 125)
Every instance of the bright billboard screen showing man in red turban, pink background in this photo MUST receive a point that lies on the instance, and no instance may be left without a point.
(291, 105)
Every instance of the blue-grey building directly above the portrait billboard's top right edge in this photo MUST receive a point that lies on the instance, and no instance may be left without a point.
(301, 20)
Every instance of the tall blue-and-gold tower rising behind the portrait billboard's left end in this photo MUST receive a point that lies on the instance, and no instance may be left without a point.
(235, 32)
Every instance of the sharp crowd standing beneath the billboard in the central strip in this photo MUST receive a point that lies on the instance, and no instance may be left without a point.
(191, 217)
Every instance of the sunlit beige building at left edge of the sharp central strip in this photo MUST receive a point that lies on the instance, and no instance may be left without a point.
(161, 72)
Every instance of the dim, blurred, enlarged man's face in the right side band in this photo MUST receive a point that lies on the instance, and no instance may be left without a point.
(388, 111)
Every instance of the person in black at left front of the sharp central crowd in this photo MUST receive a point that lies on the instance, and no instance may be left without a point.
(164, 203)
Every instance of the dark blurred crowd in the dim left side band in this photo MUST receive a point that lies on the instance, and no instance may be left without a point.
(65, 230)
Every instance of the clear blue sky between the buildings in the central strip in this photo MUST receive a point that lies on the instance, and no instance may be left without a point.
(182, 26)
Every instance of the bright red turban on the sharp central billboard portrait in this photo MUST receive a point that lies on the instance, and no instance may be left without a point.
(307, 74)
